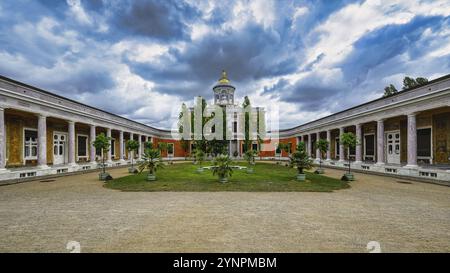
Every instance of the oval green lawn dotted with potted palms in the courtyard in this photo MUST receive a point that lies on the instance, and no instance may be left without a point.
(266, 178)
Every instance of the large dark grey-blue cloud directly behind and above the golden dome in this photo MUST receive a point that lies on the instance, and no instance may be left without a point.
(249, 54)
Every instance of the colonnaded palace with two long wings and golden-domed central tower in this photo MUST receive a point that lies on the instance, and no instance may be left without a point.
(405, 135)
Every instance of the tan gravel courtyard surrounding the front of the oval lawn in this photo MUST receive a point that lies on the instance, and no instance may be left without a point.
(402, 217)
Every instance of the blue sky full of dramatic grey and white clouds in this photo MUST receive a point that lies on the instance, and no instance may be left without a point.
(142, 59)
